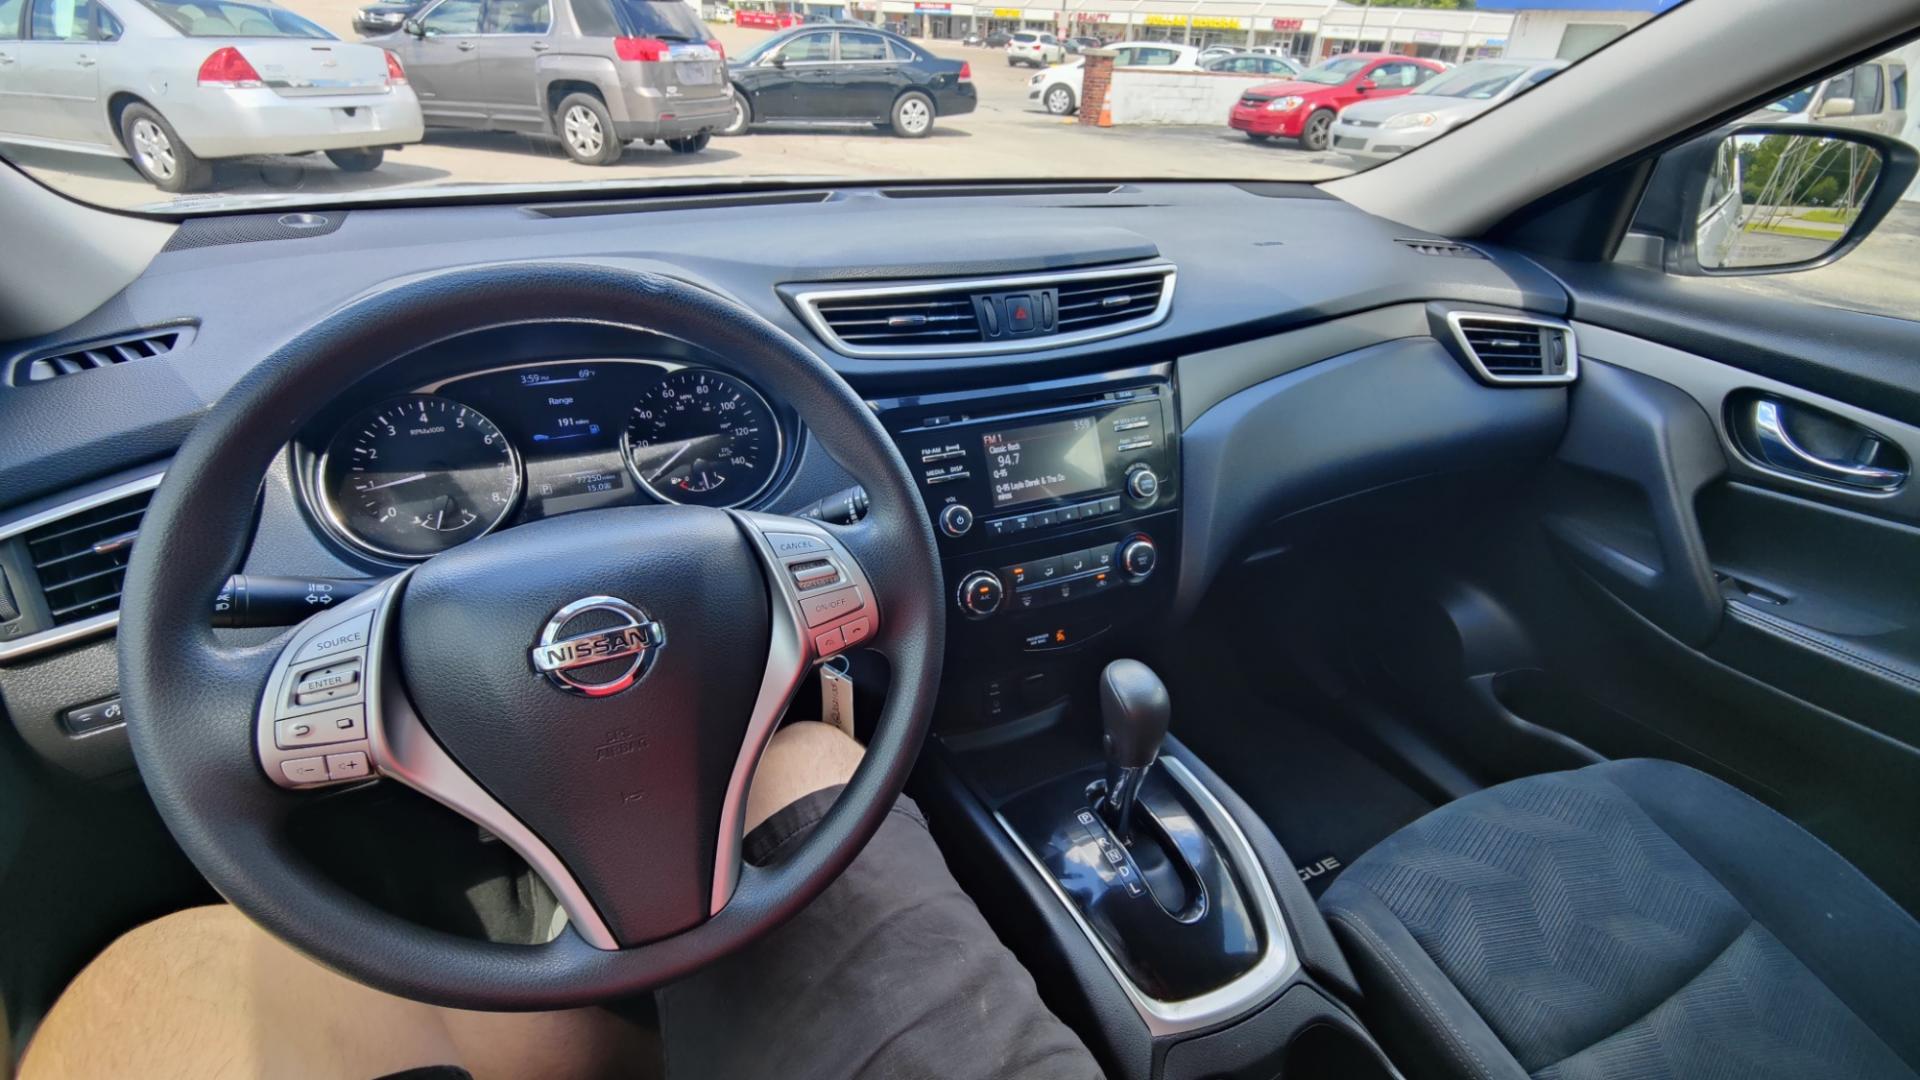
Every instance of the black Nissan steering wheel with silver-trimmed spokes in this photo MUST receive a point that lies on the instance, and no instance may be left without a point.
(594, 689)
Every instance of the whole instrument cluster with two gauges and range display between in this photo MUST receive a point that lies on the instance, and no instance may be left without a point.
(420, 474)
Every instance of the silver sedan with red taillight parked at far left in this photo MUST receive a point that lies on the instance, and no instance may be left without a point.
(178, 84)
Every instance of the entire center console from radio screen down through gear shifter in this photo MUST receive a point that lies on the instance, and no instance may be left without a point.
(1155, 910)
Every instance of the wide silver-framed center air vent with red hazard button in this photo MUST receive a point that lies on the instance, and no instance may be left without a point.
(986, 316)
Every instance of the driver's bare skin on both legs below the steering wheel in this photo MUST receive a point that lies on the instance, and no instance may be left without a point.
(206, 994)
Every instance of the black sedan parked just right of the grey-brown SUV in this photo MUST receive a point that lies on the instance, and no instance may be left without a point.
(840, 76)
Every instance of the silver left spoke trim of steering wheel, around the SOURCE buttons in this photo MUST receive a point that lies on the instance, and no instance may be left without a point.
(398, 741)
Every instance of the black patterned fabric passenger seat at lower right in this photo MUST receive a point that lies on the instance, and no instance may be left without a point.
(1631, 920)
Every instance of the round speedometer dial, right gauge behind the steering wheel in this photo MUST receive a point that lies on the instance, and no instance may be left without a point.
(702, 437)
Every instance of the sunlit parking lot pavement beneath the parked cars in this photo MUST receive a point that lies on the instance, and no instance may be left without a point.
(1005, 137)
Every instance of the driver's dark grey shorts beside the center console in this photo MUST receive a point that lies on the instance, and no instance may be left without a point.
(892, 973)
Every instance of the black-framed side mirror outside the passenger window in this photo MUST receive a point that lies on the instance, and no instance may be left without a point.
(1771, 199)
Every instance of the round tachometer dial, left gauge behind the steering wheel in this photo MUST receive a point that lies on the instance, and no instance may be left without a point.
(418, 476)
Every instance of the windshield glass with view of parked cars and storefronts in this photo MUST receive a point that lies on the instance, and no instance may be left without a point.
(358, 103)
